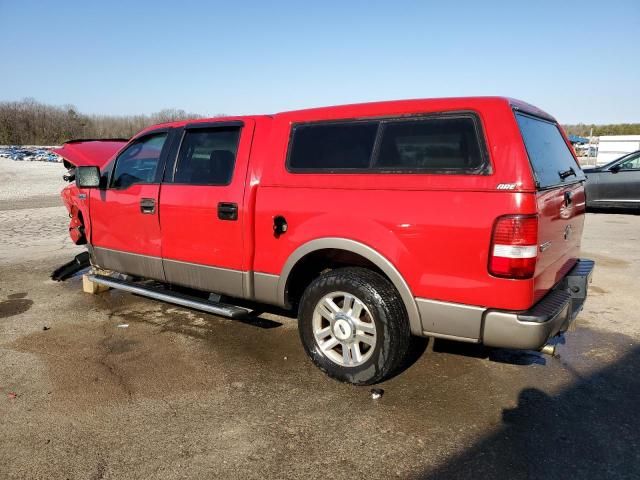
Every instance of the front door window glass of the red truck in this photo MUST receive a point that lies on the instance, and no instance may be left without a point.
(139, 162)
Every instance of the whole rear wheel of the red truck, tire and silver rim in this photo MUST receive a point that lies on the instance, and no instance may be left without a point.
(354, 326)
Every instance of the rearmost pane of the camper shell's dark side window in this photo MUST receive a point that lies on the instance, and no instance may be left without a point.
(430, 144)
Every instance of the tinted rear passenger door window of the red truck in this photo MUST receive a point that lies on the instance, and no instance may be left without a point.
(207, 156)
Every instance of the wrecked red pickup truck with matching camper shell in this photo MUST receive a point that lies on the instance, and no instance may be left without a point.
(457, 218)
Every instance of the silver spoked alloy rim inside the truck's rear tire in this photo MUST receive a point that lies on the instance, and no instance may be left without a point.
(344, 329)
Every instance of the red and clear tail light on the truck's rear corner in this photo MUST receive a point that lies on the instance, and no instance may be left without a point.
(514, 246)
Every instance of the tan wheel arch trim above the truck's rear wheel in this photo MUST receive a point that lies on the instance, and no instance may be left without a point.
(362, 250)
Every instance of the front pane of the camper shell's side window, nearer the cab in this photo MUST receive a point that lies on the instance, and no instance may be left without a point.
(335, 146)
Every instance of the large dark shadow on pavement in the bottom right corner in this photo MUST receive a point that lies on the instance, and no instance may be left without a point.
(590, 430)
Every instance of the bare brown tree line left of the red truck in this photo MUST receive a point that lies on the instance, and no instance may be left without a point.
(28, 122)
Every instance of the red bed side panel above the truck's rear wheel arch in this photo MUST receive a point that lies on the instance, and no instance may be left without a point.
(439, 241)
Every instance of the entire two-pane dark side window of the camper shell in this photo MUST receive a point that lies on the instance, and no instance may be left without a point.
(443, 143)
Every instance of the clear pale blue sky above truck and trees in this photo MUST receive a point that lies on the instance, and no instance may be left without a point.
(578, 60)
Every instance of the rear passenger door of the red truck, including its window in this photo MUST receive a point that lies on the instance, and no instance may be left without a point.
(202, 210)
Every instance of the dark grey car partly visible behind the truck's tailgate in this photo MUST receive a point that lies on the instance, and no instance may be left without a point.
(616, 184)
